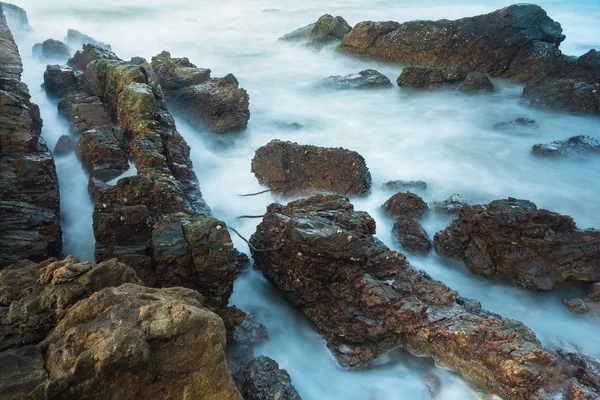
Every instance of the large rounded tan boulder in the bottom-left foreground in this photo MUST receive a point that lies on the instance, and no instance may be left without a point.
(135, 342)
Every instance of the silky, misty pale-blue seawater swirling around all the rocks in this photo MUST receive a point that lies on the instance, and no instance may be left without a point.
(443, 138)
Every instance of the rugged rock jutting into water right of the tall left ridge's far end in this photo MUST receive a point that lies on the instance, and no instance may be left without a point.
(217, 103)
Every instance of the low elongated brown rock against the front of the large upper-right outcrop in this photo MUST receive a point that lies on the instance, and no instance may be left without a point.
(430, 78)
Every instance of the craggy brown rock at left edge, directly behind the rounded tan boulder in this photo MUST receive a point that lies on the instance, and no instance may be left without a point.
(34, 297)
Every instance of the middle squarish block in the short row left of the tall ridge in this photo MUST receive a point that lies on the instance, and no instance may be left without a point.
(84, 112)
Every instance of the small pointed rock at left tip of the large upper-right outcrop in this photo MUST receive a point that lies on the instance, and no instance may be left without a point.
(326, 30)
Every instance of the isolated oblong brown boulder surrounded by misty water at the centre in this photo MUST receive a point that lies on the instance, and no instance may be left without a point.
(288, 168)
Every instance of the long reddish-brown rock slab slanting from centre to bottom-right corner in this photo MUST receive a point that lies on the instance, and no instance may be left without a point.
(367, 300)
